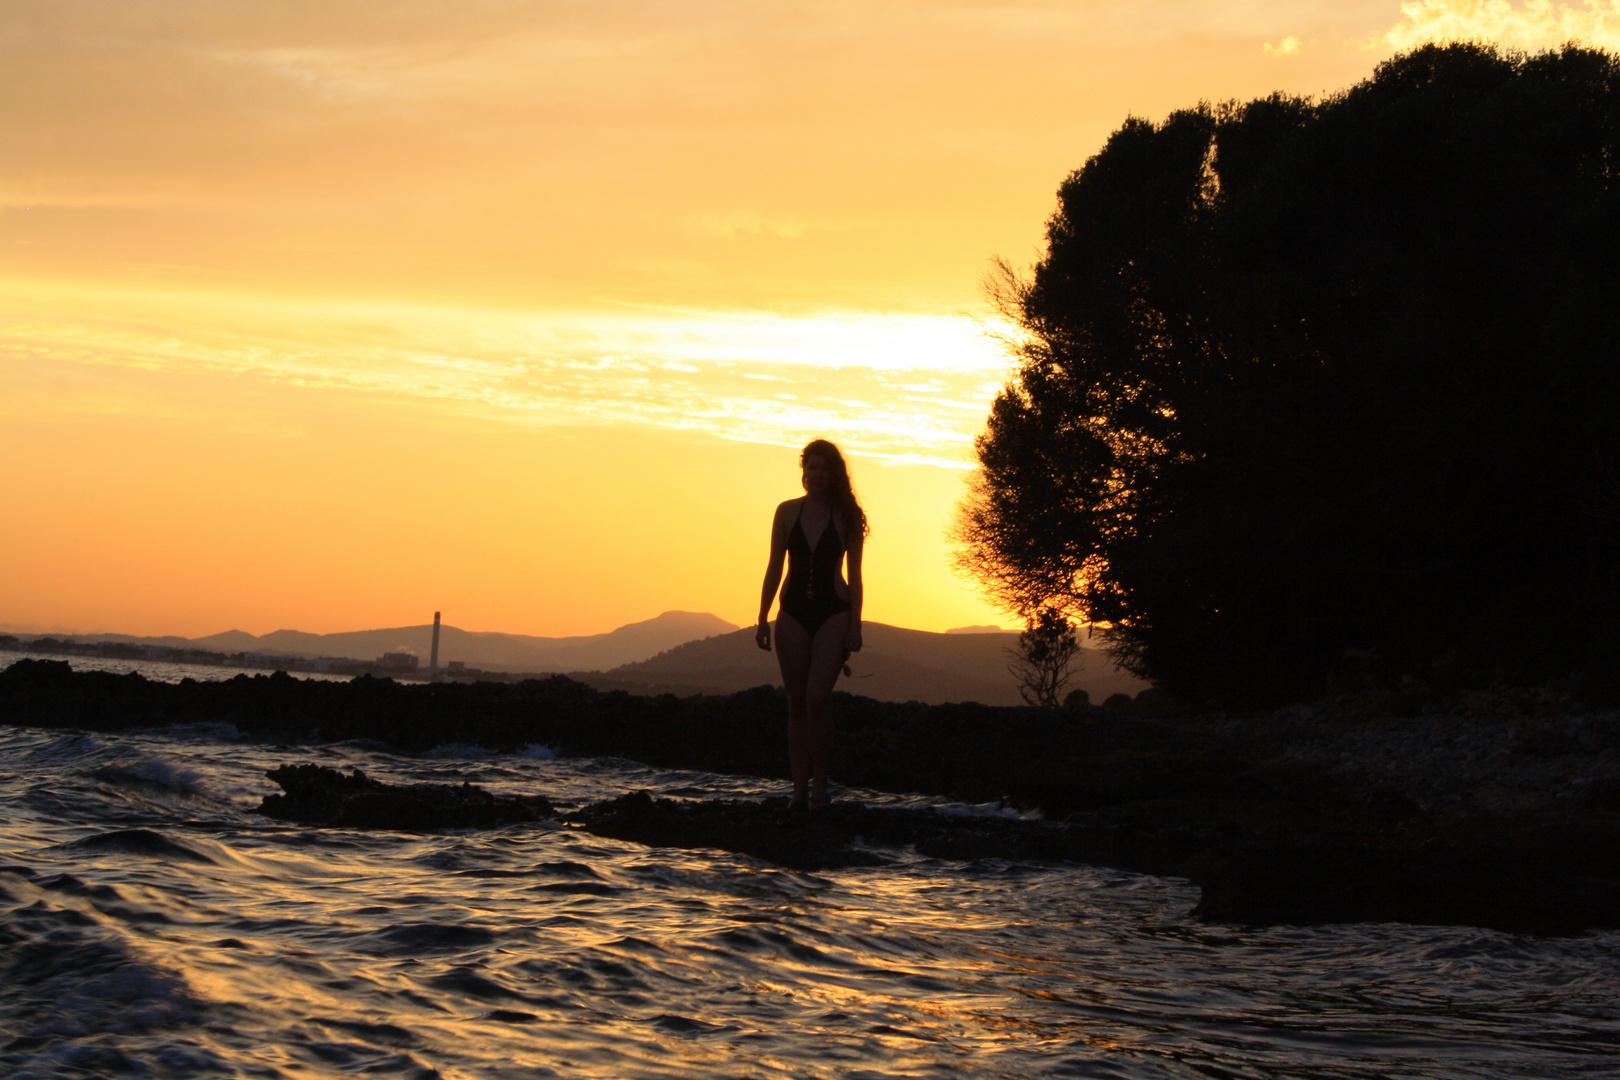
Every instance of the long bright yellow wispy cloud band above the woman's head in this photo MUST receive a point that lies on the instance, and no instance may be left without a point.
(910, 388)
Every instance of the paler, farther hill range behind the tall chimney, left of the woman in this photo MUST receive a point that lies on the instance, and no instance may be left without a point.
(484, 650)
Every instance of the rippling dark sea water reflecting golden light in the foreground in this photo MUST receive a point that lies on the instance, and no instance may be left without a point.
(153, 925)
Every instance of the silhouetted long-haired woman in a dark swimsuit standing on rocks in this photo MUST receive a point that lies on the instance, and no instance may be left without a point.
(819, 624)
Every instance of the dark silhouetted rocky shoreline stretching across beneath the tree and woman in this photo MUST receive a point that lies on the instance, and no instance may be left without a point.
(1503, 812)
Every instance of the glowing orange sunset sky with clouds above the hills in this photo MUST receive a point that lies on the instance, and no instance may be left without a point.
(333, 315)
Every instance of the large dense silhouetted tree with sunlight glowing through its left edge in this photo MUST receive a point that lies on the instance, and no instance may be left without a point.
(1300, 376)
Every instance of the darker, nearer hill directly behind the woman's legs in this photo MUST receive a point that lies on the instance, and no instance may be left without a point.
(897, 665)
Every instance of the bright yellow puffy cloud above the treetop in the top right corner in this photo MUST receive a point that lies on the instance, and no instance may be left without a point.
(1535, 27)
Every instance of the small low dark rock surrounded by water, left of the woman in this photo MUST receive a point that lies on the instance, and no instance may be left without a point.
(320, 796)
